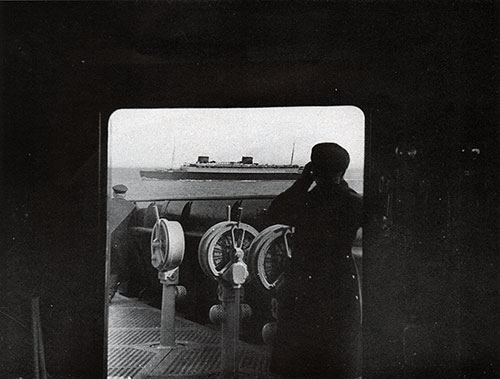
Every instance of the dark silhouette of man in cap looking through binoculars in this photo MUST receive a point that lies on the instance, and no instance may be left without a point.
(318, 334)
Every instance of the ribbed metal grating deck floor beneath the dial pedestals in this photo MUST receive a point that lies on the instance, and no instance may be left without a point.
(134, 334)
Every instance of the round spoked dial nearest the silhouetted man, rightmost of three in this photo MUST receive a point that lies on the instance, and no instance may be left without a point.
(269, 254)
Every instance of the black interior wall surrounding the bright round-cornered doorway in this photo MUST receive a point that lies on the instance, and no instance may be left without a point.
(425, 76)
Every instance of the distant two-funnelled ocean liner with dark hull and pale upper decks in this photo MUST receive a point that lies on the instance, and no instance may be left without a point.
(246, 169)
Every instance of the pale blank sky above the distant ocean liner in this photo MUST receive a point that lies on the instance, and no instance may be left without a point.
(146, 137)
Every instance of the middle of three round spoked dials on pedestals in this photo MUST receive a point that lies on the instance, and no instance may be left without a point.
(218, 246)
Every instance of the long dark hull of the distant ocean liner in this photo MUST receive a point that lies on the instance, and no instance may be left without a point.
(218, 175)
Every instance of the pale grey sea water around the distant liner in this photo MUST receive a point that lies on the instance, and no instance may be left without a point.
(143, 189)
